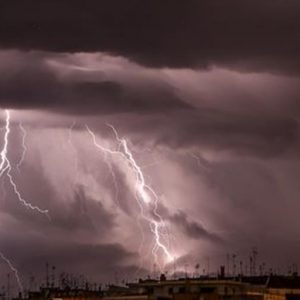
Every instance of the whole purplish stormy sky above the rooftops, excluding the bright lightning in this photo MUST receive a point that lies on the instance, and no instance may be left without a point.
(207, 95)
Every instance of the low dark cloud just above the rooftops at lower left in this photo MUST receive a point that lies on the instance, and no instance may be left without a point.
(97, 261)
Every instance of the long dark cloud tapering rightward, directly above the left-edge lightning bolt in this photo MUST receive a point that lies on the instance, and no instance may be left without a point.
(28, 83)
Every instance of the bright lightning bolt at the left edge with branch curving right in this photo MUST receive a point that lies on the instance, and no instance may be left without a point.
(5, 167)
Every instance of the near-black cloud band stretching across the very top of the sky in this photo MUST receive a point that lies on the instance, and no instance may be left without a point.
(252, 34)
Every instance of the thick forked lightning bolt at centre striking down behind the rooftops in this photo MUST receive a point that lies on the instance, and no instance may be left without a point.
(144, 194)
